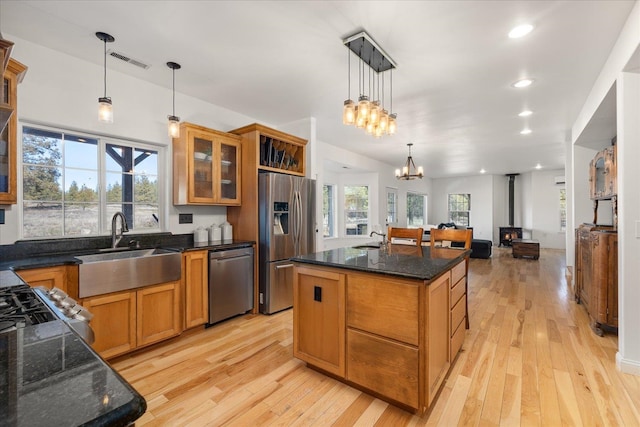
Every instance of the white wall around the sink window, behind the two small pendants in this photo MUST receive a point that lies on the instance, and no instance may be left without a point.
(61, 90)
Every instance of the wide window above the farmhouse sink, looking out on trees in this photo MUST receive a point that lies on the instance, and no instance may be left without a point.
(73, 184)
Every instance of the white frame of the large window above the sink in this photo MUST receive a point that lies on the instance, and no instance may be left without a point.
(103, 224)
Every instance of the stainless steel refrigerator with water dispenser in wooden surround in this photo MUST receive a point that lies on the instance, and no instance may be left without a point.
(287, 229)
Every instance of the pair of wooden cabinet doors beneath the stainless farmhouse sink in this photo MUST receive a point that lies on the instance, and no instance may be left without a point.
(125, 321)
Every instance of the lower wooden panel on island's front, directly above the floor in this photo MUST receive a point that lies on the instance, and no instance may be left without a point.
(382, 364)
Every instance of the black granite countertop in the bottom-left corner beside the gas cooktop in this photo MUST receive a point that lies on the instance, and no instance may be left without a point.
(50, 376)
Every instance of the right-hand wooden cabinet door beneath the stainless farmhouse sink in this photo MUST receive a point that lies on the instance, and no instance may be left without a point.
(158, 313)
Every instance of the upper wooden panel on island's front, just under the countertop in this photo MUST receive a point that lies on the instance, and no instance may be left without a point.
(384, 306)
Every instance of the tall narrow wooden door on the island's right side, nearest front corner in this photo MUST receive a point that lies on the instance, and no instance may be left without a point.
(437, 334)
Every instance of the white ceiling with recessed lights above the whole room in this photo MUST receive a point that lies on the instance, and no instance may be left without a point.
(284, 61)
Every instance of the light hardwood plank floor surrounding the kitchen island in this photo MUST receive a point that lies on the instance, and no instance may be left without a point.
(529, 358)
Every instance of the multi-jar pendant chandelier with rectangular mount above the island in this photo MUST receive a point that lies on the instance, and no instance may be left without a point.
(370, 112)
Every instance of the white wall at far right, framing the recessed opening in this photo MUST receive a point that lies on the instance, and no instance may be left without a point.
(628, 133)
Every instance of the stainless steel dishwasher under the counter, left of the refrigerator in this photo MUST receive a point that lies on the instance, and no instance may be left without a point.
(230, 283)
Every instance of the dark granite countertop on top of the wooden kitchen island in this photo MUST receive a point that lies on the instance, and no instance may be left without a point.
(412, 262)
